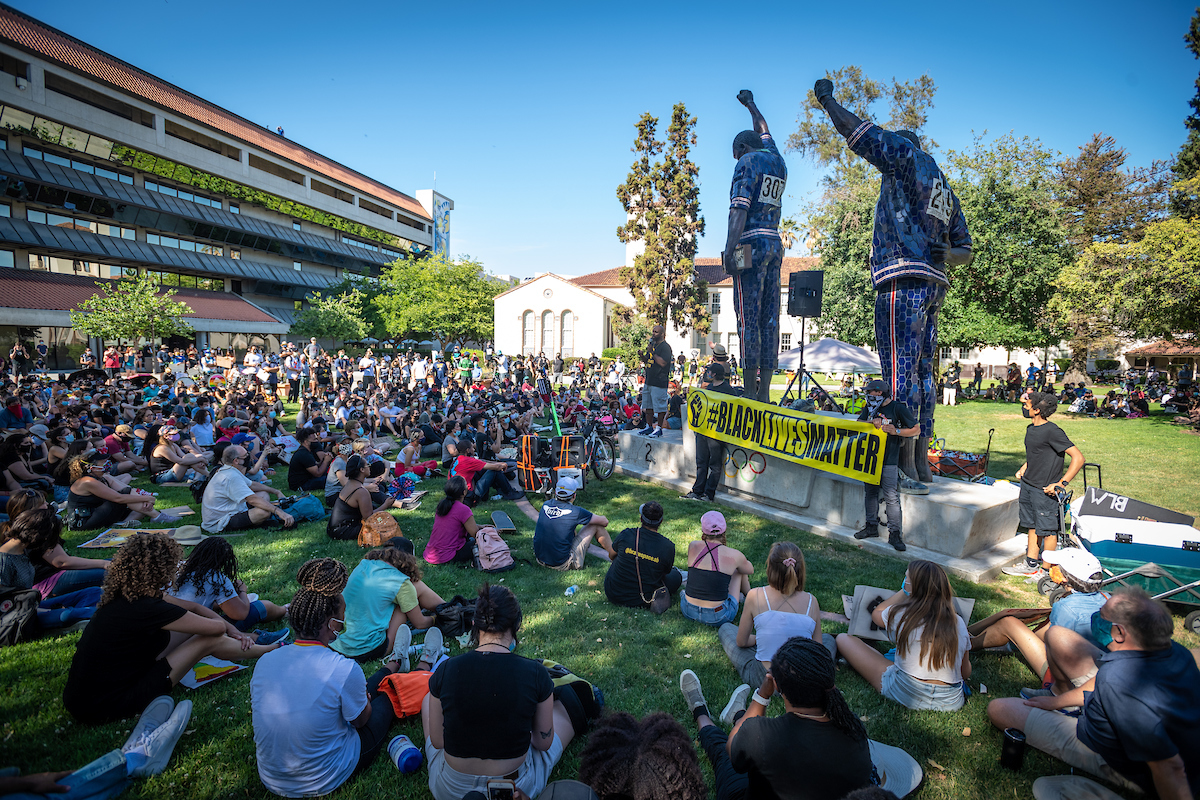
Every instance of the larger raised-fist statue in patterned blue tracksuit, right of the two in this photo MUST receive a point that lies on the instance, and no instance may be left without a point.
(920, 230)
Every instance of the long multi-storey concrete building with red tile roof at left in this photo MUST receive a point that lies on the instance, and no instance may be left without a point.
(109, 172)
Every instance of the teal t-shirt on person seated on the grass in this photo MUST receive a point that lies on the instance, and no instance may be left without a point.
(375, 588)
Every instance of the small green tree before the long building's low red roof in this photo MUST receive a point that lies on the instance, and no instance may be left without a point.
(131, 309)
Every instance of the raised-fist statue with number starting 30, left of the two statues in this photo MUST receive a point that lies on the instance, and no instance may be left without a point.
(755, 207)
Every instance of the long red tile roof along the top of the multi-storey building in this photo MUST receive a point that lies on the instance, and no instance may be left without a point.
(47, 43)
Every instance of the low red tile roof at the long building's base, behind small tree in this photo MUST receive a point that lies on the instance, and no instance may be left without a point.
(55, 292)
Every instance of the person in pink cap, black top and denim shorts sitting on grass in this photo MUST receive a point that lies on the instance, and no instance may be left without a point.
(715, 591)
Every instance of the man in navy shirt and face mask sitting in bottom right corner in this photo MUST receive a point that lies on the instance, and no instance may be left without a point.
(1141, 721)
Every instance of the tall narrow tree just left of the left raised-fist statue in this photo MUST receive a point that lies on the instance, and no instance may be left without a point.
(663, 202)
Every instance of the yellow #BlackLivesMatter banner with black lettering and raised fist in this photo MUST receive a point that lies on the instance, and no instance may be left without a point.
(843, 447)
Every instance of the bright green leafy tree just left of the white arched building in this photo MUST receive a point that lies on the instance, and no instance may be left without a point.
(448, 300)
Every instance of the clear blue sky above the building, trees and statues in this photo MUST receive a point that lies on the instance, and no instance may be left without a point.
(526, 112)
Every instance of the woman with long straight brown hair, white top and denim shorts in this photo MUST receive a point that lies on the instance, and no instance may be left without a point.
(933, 660)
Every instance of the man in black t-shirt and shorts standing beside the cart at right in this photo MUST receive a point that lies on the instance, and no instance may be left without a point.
(1042, 478)
